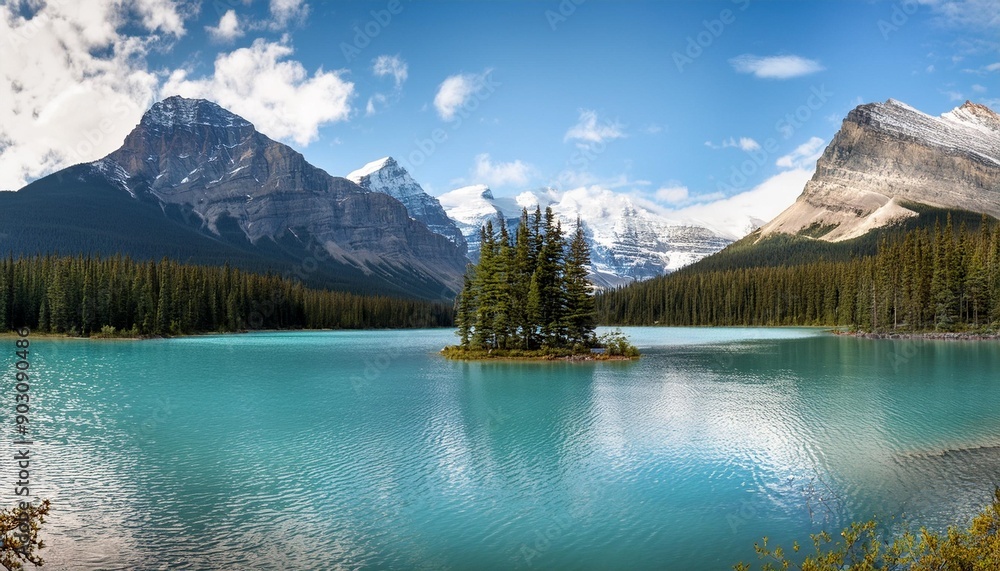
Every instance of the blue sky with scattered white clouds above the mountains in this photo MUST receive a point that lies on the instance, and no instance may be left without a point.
(666, 100)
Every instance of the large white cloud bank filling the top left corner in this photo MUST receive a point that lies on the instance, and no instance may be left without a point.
(75, 84)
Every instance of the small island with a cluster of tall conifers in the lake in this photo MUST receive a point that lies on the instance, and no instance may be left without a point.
(528, 297)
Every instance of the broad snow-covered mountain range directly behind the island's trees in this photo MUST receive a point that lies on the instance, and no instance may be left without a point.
(628, 241)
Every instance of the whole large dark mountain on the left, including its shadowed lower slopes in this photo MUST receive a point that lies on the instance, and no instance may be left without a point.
(196, 181)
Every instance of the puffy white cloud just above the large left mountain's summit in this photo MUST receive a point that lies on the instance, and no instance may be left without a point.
(277, 95)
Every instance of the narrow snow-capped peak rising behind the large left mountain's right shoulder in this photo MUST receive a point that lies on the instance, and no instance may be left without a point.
(388, 177)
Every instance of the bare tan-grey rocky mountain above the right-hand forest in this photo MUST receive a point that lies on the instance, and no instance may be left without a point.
(887, 159)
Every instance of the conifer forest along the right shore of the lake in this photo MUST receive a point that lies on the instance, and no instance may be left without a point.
(939, 279)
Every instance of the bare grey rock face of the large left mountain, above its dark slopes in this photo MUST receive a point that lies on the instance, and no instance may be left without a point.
(194, 154)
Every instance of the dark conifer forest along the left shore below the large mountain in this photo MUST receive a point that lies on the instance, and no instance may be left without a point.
(88, 295)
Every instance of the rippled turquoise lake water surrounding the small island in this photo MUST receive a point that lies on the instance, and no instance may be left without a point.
(366, 450)
